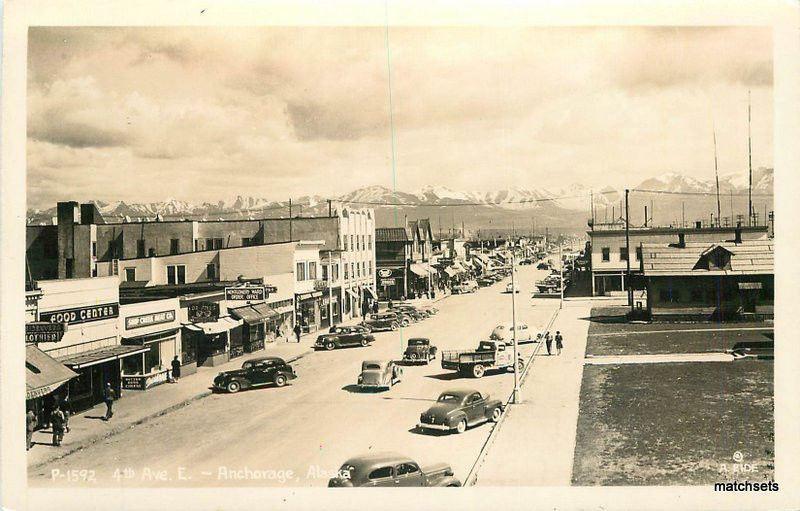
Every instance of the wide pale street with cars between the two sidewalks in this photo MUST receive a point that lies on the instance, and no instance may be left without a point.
(313, 425)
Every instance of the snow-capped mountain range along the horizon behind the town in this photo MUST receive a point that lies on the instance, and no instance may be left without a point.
(558, 207)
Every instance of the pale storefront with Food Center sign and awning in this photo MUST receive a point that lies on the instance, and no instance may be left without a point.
(90, 345)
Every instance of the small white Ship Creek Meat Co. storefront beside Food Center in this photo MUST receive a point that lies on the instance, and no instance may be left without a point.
(156, 326)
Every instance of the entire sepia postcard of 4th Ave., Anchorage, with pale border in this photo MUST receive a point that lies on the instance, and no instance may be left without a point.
(282, 257)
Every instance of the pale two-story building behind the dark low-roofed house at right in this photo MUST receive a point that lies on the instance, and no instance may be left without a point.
(609, 250)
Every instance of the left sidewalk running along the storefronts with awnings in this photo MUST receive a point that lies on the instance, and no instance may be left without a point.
(136, 407)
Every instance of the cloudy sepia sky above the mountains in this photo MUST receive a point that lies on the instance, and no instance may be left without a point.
(146, 114)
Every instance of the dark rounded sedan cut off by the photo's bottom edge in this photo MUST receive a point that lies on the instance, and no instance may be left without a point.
(391, 470)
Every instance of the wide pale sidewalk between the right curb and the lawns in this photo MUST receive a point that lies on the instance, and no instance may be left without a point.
(535, 443)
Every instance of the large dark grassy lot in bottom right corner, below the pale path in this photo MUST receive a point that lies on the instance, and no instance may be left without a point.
(674, 423)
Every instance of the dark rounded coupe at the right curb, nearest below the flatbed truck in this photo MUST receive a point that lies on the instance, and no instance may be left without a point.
(455, 410)
